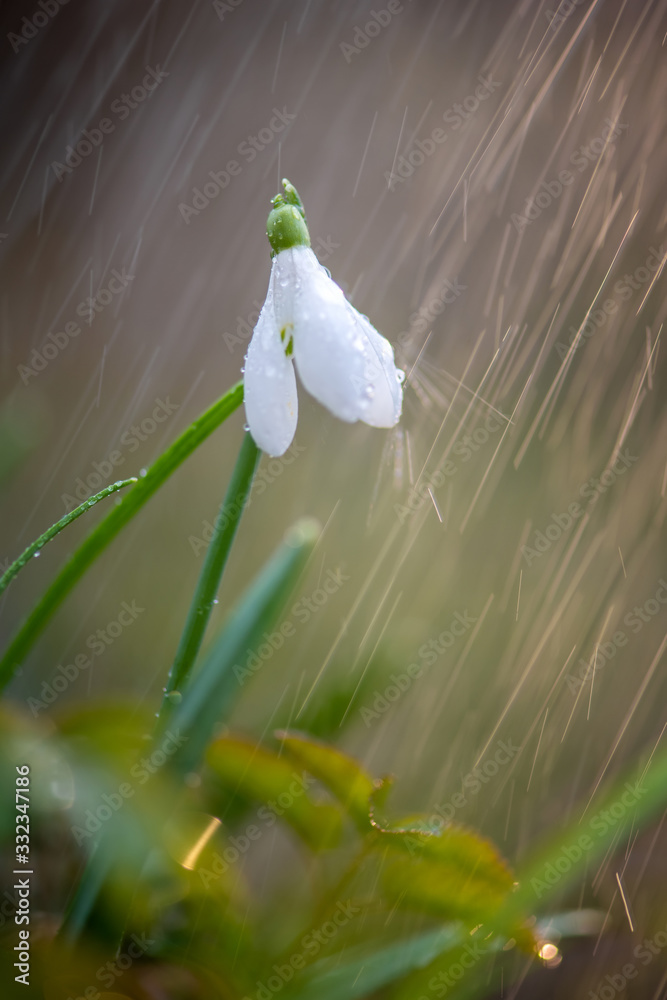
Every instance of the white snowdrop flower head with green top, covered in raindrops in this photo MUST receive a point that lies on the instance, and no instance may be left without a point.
(306, 322)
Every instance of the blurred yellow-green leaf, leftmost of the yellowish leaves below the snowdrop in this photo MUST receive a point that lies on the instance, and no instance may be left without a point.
(259, 774)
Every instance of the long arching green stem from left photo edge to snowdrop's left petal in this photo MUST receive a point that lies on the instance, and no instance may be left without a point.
(107, 530)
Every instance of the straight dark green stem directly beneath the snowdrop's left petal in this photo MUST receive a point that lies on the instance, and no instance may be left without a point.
(214, 564)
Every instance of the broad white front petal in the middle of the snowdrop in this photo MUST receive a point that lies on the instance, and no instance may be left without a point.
(330, 349)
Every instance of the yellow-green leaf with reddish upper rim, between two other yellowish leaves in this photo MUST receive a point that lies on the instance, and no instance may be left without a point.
(342, 775)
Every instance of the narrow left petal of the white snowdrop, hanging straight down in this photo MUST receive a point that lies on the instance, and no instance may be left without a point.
(269, 385)
